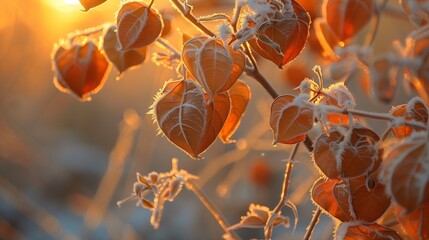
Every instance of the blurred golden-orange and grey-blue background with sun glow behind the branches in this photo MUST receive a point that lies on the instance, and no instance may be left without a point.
(64, 164)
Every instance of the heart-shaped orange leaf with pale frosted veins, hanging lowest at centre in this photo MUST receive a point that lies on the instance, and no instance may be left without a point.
(186, 119)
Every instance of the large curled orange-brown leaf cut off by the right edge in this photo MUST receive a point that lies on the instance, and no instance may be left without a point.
(407, 178)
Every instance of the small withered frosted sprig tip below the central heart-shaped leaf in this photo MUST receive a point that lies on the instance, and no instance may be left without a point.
(164, 187)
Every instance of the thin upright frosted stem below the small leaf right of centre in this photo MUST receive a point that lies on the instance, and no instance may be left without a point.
(285, 188)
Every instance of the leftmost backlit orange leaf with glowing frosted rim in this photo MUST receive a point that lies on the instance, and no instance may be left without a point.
(80, 70)
